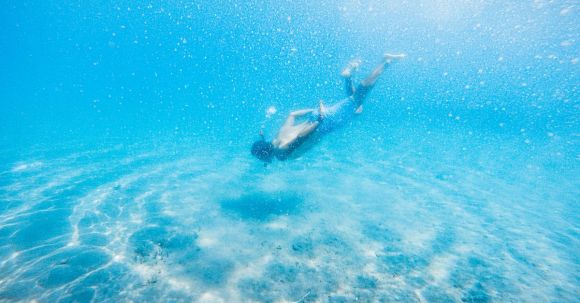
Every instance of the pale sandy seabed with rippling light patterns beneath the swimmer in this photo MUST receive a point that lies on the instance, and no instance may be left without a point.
(450, 221)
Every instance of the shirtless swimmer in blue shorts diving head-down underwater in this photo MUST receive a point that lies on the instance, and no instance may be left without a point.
(323, 119)
